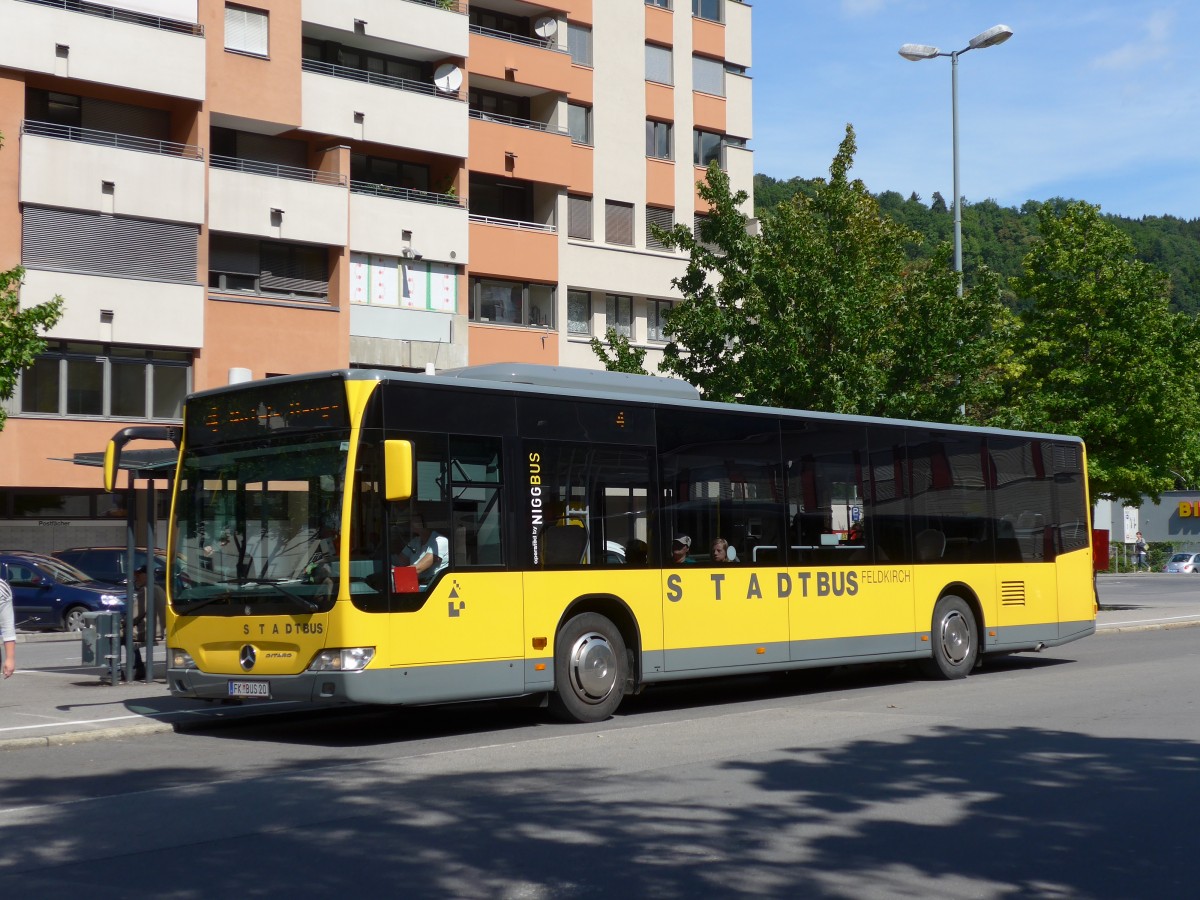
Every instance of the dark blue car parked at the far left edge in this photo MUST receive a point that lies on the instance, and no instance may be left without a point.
(49, 593)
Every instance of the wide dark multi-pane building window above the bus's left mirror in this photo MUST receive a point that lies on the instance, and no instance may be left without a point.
(85, 380)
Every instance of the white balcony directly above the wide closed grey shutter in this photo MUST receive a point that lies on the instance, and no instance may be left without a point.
(106, 172)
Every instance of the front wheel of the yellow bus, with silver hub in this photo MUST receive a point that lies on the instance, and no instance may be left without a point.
(590, 670)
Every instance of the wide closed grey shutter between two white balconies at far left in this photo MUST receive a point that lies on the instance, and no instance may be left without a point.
(109, 245)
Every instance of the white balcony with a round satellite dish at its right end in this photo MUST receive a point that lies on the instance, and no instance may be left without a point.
(399, 112)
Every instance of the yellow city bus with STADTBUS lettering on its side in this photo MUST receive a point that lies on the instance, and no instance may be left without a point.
(523, 531)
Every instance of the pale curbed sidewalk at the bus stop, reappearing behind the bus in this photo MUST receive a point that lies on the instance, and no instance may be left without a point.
(53, 700)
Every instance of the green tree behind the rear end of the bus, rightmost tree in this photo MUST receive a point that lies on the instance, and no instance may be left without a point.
(1105, 357)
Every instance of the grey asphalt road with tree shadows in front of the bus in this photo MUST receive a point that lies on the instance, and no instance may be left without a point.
(1073, 773)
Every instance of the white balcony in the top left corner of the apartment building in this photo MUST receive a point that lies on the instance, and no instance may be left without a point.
(70, 39)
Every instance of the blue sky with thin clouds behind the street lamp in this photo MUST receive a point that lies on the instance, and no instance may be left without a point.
(1093, 100)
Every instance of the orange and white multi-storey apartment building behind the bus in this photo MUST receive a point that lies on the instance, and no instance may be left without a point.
(230, 190)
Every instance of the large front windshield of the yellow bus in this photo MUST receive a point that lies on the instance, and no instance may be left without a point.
(257, 526)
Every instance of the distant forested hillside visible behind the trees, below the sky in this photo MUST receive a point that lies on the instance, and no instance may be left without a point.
(1000, 237)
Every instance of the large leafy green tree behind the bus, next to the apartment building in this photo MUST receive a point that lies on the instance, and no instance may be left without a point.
(825, 310)
